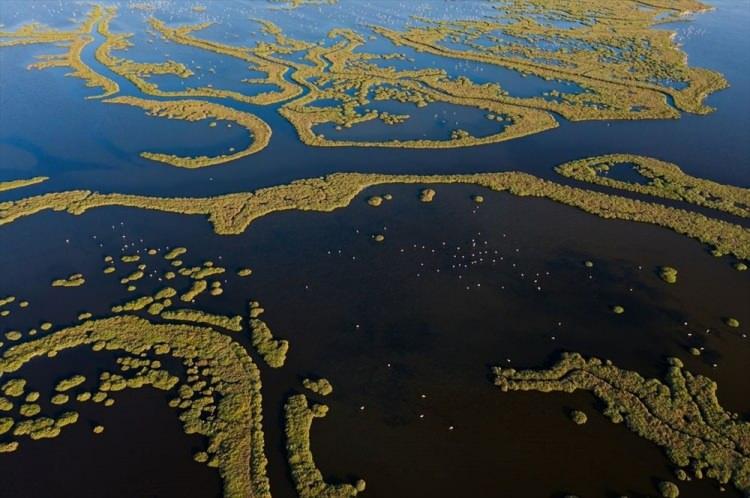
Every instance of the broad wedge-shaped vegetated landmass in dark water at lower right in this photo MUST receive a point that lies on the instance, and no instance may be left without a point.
(682, 414)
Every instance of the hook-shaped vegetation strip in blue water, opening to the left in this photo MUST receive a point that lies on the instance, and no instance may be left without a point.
(197, 110)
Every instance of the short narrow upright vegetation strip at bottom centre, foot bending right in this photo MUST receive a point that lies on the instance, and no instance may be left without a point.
(307, 478)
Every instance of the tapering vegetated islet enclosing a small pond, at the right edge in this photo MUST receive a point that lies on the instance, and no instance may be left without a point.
(665, 180)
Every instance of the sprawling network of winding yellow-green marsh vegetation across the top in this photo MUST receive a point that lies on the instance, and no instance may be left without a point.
(619, 79)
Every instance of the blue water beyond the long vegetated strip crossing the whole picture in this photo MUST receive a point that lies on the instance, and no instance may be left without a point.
(47, 126)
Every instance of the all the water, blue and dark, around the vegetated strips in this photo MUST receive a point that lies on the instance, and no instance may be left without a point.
(454, 289)
